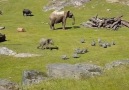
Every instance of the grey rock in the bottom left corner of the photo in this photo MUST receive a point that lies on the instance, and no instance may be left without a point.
(8, 85)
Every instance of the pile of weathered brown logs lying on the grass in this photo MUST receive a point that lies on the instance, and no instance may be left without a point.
(110, 23)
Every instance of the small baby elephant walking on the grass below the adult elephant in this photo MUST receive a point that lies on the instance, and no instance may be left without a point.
(44, 43)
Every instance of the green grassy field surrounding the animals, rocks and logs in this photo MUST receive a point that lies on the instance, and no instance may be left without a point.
(67, 40)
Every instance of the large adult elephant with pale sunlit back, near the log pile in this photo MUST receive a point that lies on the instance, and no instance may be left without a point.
(60, 16)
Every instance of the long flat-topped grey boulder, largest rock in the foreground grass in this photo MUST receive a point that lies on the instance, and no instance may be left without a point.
(76, 71)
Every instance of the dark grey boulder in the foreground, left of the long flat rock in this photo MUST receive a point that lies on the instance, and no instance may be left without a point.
(33, 77)
